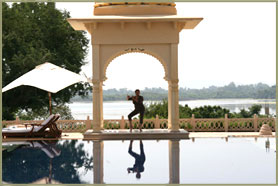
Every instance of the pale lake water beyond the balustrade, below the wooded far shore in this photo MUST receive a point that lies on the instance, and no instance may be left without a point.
(117, 109)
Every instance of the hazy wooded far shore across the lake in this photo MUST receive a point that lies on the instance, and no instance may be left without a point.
(231, 91)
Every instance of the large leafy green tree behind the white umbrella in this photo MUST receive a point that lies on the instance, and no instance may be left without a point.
(34, 33)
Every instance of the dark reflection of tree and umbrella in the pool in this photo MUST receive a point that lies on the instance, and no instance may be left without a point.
(48, 161)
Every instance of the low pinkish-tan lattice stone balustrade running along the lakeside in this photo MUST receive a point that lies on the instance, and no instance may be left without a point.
(190, 124)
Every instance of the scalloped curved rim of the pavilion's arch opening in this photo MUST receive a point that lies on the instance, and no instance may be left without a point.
(123, 52)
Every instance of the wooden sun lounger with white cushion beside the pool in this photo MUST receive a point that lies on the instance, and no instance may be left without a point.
(47, 129)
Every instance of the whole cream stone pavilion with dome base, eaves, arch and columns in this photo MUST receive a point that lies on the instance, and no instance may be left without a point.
(150, 28)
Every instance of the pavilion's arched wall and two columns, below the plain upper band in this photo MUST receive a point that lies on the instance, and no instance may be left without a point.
(167, 55)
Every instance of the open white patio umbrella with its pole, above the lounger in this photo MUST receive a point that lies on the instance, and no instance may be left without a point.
(48, 77)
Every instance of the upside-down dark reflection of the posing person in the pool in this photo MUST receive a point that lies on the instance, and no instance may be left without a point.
(138, 167)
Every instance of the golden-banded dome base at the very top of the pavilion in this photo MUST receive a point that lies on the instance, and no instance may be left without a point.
(135, 8)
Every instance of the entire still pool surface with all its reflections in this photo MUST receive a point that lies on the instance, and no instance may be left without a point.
(199, 160)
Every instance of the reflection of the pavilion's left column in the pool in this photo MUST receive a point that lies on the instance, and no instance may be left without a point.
(98, 161)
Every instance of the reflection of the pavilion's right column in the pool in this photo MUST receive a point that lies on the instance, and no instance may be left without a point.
(174, 161)
